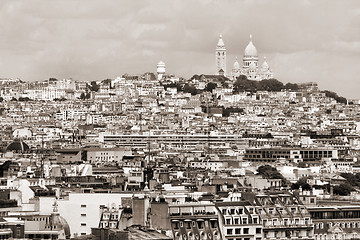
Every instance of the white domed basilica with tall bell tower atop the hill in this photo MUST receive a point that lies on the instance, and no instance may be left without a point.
(250, 64)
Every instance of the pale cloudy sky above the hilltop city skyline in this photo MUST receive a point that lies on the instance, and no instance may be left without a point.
(303, 40)
